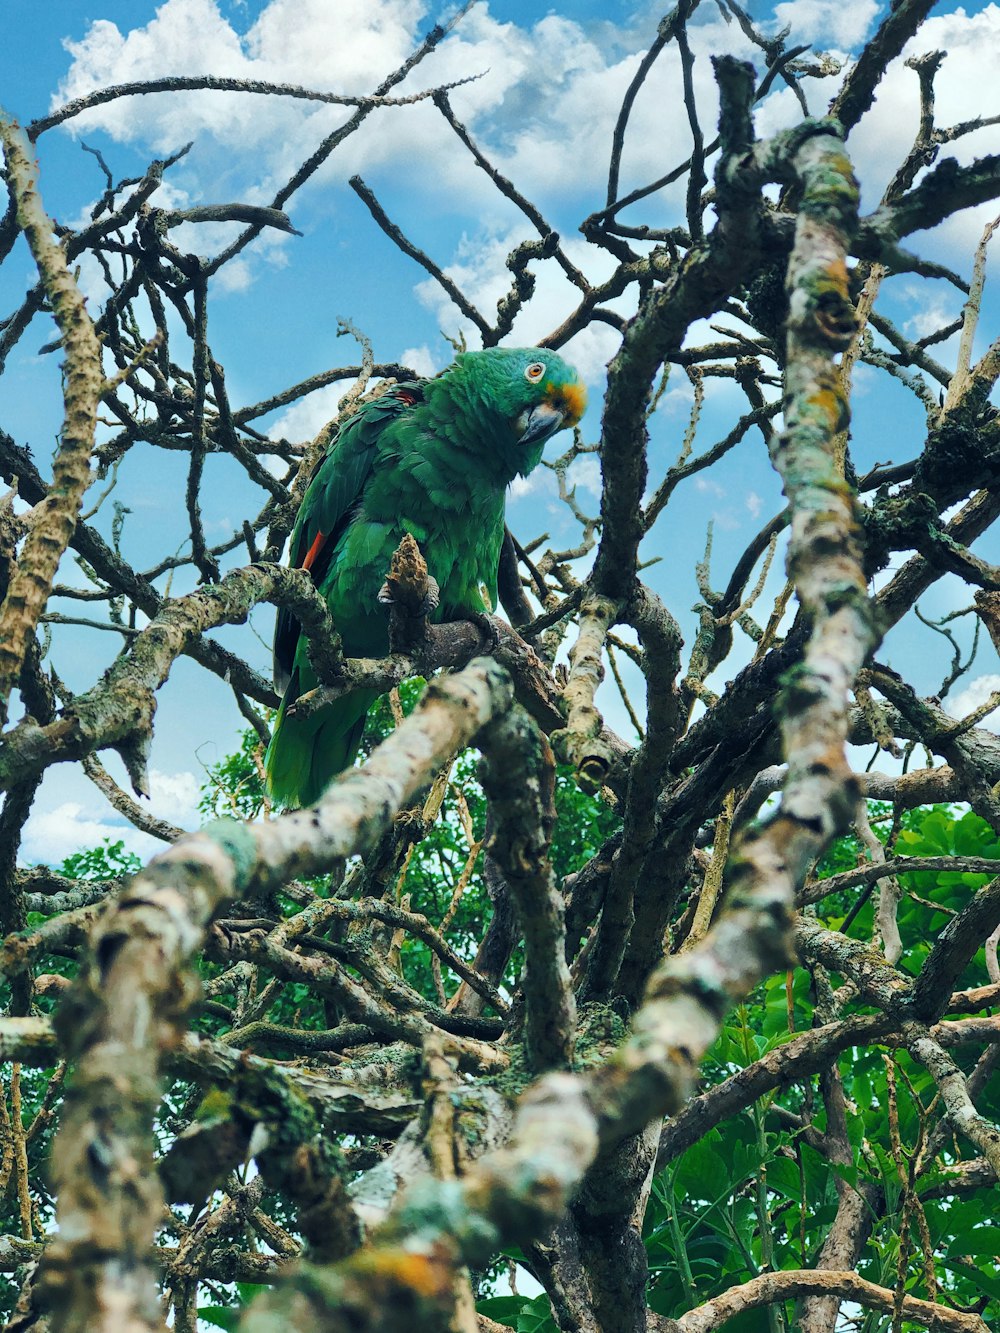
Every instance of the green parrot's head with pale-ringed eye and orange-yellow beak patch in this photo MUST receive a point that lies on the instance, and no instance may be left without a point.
(533, 390)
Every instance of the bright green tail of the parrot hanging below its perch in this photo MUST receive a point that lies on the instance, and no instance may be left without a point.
(306, 754)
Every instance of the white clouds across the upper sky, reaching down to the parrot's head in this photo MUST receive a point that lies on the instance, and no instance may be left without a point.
(545, 110)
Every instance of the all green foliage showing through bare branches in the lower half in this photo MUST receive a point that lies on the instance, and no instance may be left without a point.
(753, 1194)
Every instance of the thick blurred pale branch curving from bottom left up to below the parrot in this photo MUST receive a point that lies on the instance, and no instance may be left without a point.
(130, 1003)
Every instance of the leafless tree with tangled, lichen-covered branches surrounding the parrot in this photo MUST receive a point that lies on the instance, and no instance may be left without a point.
(534, 1108)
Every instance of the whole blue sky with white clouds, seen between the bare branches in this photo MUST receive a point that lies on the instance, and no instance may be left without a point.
(545, 107)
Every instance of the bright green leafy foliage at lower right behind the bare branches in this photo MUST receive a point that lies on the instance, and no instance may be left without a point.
(754, 1195)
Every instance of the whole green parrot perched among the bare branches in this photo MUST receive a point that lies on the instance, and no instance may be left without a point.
(431, 458)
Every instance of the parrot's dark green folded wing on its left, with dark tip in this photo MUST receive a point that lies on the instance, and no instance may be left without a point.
(331, 501)
